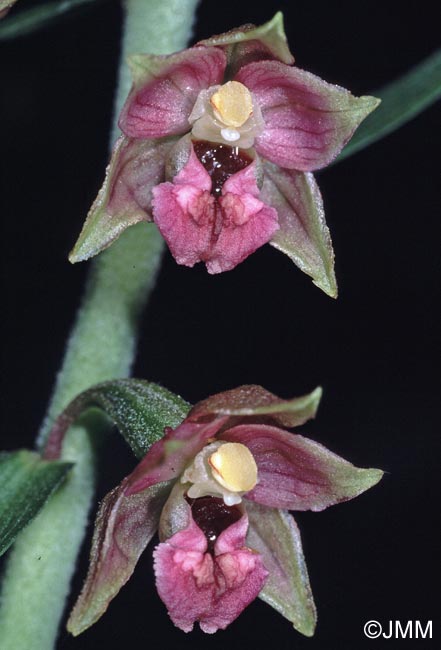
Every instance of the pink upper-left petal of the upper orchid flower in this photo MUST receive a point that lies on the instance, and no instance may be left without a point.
(166, 88)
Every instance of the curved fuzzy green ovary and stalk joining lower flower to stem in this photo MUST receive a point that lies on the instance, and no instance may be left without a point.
(141, 410)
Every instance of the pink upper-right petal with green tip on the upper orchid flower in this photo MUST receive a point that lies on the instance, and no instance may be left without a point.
(307, 121)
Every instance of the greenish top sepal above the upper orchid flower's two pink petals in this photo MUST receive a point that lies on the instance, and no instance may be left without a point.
(250, 43)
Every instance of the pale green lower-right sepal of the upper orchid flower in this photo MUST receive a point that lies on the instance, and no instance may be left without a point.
(303, 234)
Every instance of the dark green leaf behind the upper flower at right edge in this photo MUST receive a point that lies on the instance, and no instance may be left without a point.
(401, 100)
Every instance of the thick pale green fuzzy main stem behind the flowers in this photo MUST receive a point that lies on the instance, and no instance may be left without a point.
(101, 346)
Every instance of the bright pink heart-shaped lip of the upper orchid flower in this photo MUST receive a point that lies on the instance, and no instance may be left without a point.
(197, 227)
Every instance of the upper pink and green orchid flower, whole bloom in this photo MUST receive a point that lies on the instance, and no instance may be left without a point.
(219, 142)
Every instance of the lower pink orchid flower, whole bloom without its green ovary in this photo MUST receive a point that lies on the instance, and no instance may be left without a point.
(219, 488)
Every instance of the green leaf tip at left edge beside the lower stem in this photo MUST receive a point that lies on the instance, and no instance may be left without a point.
(26, 482)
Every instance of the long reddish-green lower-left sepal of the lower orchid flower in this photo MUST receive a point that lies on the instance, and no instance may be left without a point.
(123, 528)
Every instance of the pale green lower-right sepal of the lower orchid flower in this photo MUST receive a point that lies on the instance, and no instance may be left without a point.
(275, 535)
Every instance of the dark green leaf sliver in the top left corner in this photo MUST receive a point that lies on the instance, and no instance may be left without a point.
(30, 20)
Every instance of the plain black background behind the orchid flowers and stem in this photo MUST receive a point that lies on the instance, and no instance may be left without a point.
(373, 350)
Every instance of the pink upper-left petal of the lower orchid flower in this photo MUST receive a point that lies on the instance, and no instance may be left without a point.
(168, 457)
